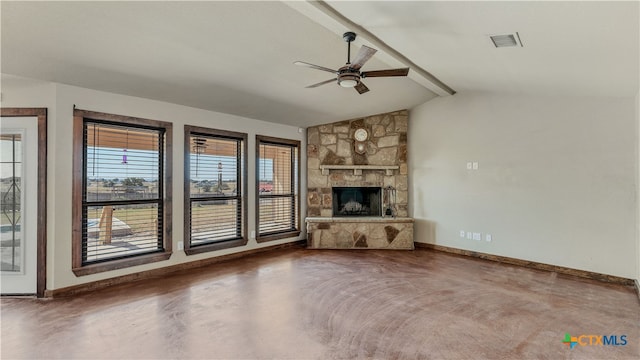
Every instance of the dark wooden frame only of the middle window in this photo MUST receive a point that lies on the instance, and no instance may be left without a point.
(189, 131)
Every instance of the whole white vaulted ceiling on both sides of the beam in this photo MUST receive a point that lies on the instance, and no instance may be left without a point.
(237, 57)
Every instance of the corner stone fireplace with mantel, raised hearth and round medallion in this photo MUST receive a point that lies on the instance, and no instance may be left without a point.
(347, 182)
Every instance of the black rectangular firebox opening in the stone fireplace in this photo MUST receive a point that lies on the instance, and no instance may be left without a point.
(357, 201)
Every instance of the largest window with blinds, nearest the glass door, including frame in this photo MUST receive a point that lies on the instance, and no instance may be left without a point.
(121, 192)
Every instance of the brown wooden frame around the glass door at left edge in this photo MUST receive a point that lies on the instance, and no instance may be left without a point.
(41, 114)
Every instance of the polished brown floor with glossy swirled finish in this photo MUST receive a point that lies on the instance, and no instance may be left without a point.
(311, 304)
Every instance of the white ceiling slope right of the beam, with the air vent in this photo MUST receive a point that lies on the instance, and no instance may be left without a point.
(575, 47)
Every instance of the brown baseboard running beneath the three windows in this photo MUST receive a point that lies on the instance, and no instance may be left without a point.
(154, 273)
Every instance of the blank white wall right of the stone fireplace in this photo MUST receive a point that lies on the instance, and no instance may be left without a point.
(556, 181)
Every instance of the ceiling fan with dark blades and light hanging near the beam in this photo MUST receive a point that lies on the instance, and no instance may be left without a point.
(350, 75)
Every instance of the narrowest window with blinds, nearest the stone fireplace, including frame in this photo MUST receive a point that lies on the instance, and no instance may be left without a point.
(278, 181)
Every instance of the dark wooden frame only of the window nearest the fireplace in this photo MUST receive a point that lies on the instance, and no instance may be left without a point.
(295, 181)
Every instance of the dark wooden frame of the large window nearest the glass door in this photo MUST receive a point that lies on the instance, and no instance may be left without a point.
(79, 187)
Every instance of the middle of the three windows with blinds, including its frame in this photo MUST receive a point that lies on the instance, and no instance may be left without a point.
(215, 188)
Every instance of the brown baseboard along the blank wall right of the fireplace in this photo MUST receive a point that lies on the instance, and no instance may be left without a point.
(532, 265)
